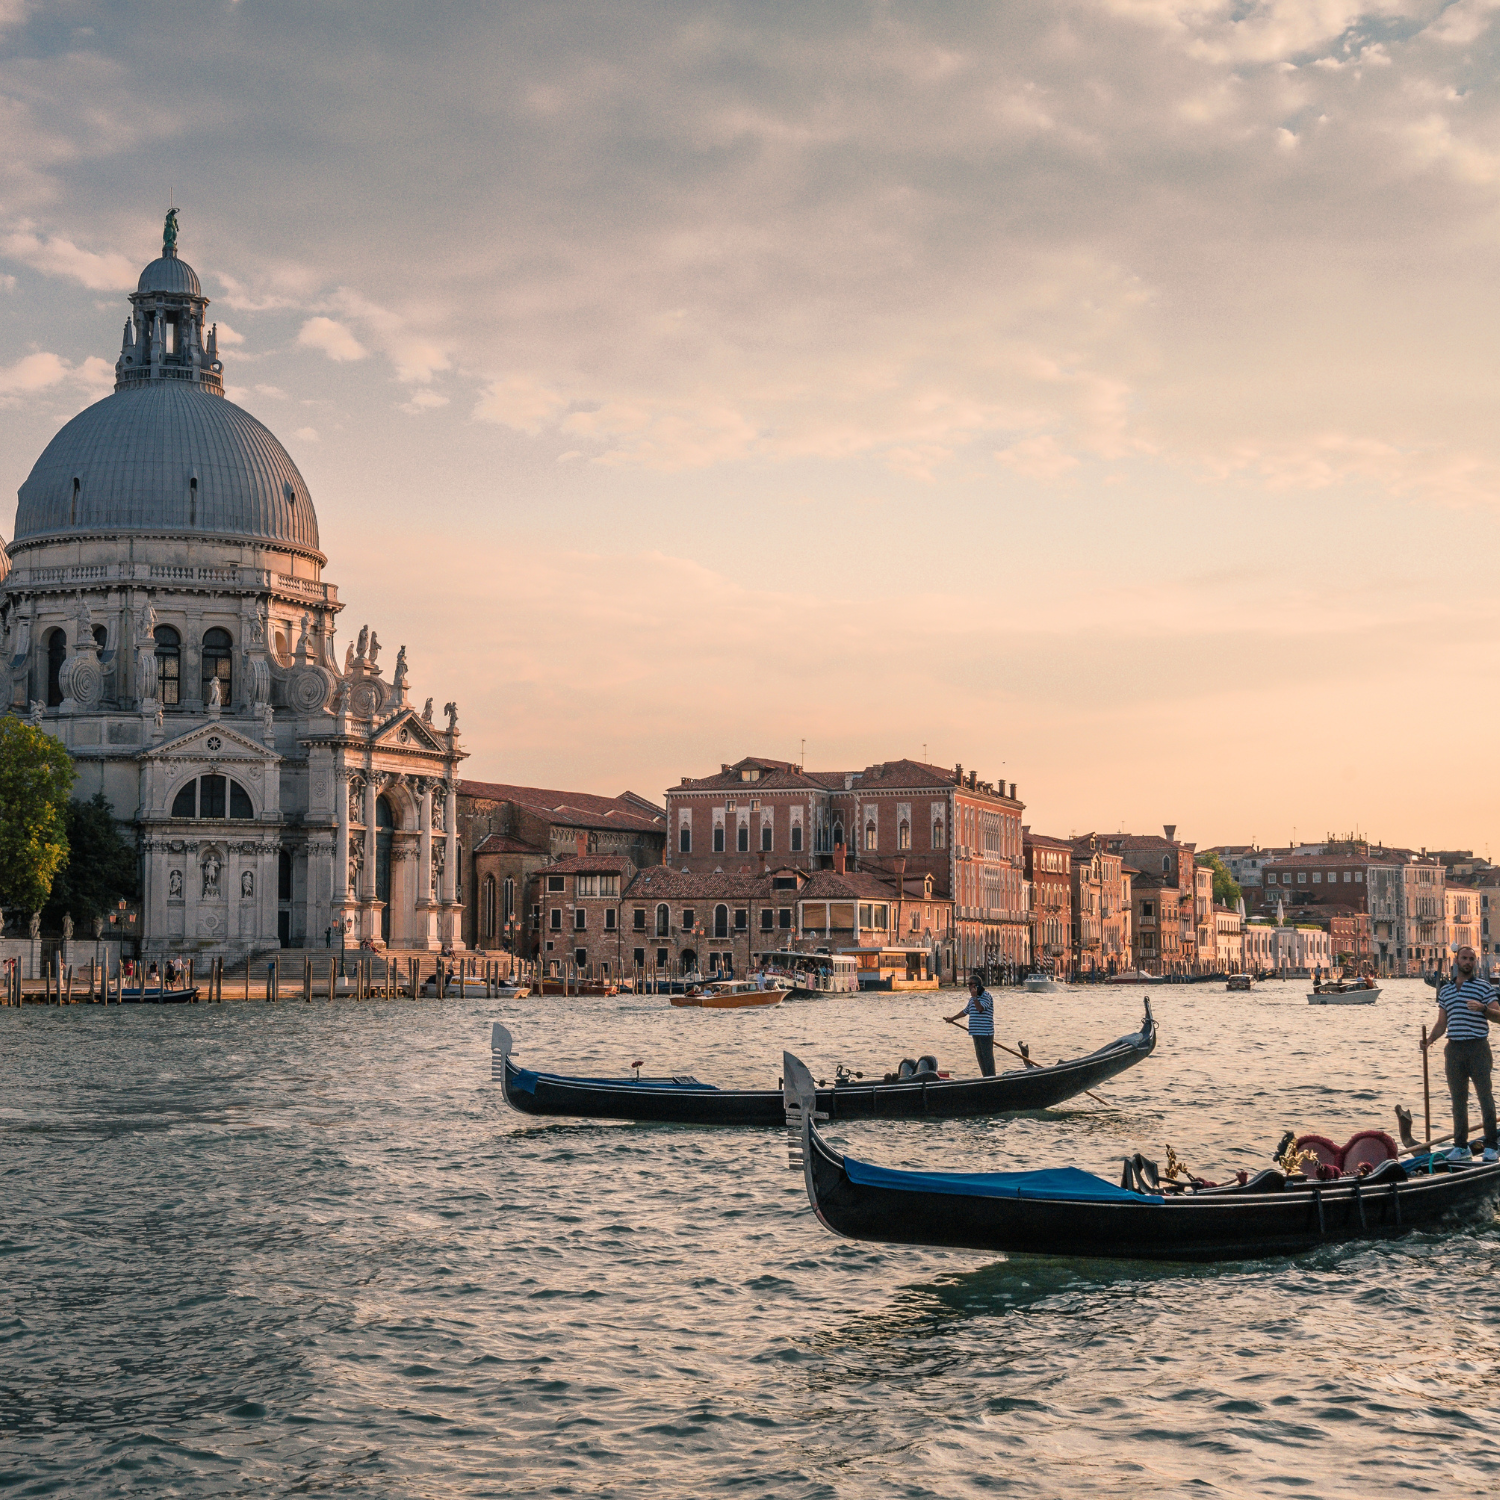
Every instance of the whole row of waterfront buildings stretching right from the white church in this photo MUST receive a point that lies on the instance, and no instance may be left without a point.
(929, 871)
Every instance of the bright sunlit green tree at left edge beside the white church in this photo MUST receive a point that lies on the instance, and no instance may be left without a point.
(37, 776)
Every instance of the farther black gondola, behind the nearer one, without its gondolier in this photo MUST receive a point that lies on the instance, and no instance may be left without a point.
(686, 1102)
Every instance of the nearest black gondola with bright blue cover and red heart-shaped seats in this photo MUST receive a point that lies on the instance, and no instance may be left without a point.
(1064, 1211)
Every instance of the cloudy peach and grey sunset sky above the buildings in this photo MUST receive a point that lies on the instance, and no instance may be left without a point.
(1096, 392)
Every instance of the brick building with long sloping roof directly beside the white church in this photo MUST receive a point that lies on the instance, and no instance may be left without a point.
(511, 835)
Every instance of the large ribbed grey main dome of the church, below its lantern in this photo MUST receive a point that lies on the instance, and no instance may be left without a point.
(128, 464)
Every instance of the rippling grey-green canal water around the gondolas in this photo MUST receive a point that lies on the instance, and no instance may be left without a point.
(257, 1250)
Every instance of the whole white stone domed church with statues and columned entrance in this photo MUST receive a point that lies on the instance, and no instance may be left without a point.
(167, 619)
